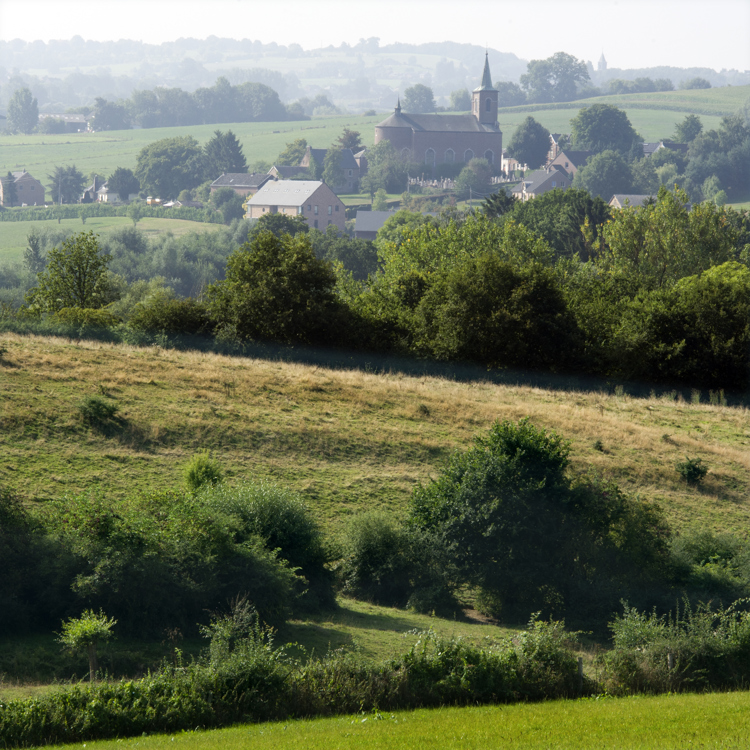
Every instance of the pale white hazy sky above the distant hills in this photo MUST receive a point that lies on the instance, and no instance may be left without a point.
(631, 33)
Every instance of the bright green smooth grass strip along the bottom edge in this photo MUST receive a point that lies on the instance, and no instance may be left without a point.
(673, 721)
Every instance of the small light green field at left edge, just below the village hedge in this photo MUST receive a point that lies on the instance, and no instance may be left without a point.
(13, 233)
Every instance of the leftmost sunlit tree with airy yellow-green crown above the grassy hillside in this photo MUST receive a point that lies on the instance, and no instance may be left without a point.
(75, 276)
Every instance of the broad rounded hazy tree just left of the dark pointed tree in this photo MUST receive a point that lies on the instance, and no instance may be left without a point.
(164, 168)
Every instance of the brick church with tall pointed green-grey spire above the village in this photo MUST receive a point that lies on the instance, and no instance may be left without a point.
(449, 139)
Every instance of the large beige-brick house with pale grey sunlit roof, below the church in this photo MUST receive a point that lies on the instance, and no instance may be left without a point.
(311, 199)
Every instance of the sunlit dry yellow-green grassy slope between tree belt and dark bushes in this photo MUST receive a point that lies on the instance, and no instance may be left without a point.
(347, 439)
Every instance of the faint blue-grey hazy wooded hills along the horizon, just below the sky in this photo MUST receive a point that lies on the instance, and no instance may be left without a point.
(72, 73)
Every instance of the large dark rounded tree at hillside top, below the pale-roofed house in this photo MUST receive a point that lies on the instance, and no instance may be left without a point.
(276, 290)
